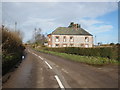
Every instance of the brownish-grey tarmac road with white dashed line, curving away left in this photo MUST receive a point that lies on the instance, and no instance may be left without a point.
(40, 70)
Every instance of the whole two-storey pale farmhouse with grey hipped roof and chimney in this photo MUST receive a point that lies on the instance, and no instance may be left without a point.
(71, 36)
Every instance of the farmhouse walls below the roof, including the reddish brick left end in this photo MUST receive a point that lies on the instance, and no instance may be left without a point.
(78, 41)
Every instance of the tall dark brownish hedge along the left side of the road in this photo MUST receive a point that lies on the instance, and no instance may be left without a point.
(12, 49)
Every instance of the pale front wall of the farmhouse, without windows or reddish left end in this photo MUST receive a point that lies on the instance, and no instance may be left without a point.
(78, 40)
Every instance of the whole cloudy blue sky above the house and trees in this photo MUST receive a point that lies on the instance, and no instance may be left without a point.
(98, 18)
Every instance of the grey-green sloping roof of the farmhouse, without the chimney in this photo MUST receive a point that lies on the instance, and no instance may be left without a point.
(70, 31)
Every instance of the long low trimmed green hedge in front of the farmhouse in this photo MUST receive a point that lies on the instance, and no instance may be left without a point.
(107, 52)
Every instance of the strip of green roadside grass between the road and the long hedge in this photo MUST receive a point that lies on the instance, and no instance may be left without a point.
(96, 61)
